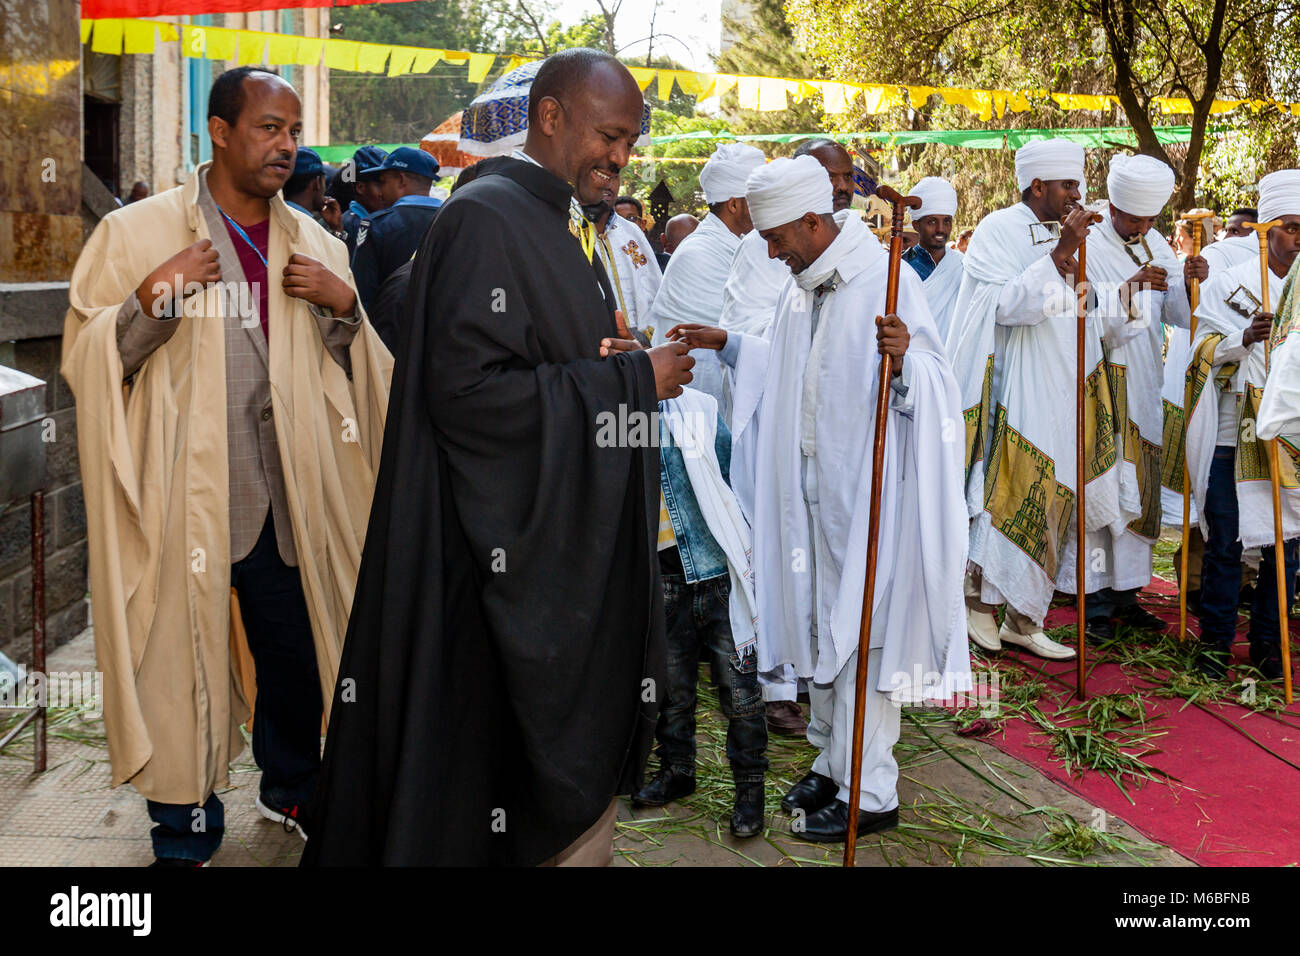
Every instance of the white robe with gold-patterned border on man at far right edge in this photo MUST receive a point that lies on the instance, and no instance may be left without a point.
(1254, 487)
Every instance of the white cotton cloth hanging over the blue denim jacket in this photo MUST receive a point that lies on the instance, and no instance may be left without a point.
(692, 421)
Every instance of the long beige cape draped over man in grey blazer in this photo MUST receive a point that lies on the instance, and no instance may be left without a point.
(155, 477)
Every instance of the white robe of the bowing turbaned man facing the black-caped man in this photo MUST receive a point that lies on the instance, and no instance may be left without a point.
(798, 396)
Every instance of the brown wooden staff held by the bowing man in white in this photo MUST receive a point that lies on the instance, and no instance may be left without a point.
(878, 466)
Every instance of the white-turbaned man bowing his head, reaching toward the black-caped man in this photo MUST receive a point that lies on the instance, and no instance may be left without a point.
(803, 429)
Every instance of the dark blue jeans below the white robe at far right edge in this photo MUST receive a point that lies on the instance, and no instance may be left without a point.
(1221, 570)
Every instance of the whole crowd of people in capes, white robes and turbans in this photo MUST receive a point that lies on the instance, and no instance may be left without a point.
(480, 483)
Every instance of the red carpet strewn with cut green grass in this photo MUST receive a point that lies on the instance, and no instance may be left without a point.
(1237, 773)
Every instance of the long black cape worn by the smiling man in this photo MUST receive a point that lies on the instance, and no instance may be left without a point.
(505, 655)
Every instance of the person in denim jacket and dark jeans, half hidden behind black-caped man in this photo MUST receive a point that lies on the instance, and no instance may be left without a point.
(696, 599)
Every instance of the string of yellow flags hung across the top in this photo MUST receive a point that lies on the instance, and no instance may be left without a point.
(752, 93)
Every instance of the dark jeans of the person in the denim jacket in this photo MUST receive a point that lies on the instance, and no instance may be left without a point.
(697, 618)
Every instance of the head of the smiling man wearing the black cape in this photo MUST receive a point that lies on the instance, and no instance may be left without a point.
(584, 118)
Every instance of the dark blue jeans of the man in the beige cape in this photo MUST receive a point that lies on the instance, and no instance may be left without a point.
(287, 729)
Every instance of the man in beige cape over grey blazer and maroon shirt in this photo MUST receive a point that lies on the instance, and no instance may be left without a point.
(231, 404)
